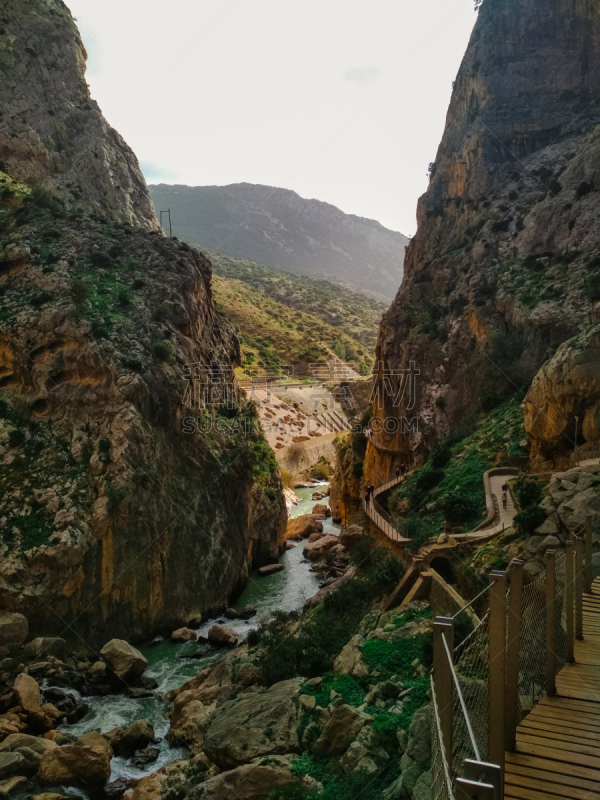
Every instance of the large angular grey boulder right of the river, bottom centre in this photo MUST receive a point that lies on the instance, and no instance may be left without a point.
(254, 724)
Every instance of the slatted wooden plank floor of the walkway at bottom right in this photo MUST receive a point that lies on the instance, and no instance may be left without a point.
(558, 743)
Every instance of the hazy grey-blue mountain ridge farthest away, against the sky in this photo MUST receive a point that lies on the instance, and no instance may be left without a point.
(277, 227)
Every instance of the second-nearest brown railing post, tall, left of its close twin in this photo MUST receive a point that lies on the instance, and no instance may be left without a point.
(497, 668)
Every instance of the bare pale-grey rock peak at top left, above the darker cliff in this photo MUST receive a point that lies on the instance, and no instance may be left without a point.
(50, 128)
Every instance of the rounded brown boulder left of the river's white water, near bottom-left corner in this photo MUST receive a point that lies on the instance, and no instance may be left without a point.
(85, 763)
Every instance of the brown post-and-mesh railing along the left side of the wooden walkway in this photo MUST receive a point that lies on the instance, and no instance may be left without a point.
(486, 686)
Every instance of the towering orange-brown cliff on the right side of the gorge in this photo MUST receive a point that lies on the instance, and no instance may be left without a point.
(504, 265)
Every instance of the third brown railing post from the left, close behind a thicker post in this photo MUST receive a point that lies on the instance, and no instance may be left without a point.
(512, 654)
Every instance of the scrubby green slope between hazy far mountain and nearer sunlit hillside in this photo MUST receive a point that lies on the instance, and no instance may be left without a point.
(352, 313)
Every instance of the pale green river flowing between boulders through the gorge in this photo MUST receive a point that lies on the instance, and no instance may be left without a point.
(167, 663)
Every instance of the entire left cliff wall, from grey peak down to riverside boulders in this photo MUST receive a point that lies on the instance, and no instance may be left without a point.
(125, 505)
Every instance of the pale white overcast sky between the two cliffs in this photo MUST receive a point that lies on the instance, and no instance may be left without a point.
(340, 100)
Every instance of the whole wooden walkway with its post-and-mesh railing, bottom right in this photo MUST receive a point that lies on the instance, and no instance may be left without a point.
(516, 705)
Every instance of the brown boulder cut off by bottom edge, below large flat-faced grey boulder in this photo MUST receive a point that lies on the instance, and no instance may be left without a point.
(253, 781)
